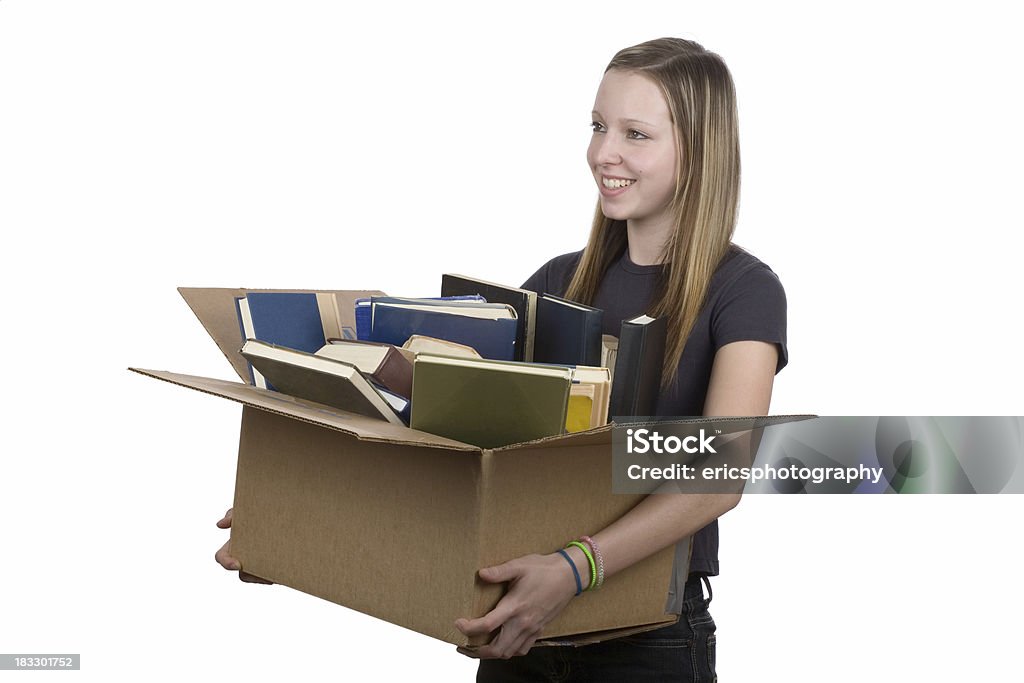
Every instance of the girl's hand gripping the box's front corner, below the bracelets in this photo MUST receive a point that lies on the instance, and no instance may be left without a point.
(540, 587)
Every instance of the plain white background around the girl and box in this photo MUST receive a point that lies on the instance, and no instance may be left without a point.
(146, 146)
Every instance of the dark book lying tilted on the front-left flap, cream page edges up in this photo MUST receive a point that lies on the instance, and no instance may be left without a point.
(319, 379)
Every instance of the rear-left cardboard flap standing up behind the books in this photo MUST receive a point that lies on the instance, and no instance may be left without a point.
(215, 307)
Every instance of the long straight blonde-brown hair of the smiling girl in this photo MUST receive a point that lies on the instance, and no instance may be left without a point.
(702, 100)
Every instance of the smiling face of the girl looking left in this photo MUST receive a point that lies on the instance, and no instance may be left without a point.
(633, 152)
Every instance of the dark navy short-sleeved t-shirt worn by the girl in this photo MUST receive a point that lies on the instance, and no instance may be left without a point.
(745, 303)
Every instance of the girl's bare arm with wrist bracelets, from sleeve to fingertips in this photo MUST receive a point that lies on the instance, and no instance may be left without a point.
(541, 586)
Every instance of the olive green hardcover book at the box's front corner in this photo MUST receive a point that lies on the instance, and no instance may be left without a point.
(489, 404)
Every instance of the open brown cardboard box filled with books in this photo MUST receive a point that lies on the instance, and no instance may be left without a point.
(395, 523)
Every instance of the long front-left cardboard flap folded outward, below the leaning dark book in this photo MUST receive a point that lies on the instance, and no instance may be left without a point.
(364, 429)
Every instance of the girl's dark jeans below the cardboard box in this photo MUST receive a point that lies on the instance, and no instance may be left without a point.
(684, 652)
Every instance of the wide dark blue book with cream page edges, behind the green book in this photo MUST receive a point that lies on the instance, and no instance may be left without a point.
(489, 328)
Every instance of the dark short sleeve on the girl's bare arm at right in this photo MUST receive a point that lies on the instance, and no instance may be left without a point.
(752, 309)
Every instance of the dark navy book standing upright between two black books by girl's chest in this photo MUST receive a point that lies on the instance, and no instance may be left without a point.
(568, 333)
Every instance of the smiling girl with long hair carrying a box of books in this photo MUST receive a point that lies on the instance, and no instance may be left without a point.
(665, 156)
